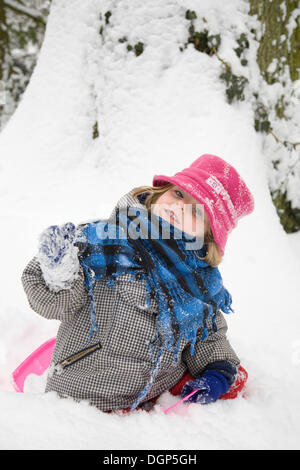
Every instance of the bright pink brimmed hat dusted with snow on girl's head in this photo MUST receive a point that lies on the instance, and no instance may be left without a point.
(218, 186)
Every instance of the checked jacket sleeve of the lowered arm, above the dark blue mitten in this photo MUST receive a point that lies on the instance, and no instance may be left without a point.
(214, 348)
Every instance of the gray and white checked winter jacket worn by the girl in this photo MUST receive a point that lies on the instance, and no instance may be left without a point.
(111, 370)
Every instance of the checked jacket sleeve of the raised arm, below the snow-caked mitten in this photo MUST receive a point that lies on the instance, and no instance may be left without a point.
(62, 305)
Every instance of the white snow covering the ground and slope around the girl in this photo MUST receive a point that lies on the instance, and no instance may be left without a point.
(156, 113)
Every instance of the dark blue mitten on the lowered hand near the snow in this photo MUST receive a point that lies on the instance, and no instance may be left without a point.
(210, 387)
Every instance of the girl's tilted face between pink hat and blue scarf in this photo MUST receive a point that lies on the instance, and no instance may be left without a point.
(183, 211)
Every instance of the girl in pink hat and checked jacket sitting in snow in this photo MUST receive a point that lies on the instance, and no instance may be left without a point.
(141, 314)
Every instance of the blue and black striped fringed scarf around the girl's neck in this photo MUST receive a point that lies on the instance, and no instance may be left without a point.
(187, 289)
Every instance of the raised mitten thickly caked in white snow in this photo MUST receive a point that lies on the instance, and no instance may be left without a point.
(57, 256)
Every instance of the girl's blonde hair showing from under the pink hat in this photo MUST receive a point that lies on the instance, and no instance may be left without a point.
(213, 256)
